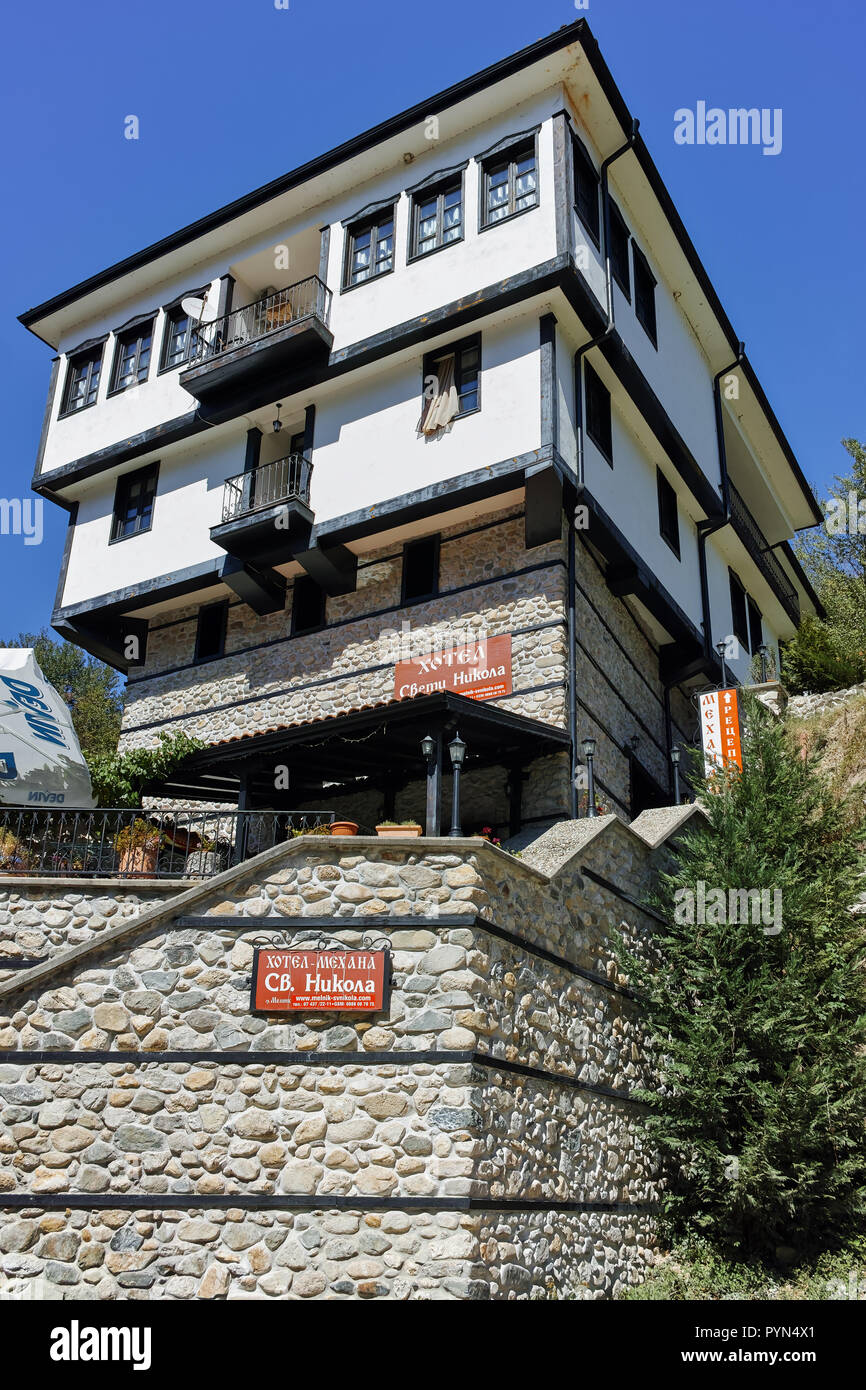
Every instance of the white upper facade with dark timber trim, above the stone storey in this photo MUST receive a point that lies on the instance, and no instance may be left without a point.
(120, 404)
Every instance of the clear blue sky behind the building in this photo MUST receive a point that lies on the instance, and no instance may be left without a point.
(234, 92)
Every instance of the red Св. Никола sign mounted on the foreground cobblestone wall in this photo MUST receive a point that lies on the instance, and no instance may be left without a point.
(316, 981)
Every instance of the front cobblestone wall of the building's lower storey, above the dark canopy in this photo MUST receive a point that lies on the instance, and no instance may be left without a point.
(269, 679)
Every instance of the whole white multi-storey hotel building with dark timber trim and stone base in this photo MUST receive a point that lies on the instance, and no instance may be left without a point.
(610, 490)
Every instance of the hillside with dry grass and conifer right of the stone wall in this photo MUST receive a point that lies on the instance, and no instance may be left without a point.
(761, 1114)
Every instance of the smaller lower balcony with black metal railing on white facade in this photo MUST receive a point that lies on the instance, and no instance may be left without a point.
(266, 512)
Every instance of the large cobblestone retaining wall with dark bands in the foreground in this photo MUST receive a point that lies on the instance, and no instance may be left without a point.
(497, 1075)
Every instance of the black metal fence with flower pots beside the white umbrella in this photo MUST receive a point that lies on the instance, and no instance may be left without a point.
(144, 844)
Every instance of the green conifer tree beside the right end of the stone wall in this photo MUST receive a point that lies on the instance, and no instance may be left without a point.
(761, 1107)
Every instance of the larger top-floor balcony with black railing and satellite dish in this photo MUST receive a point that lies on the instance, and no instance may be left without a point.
(238, 355)
